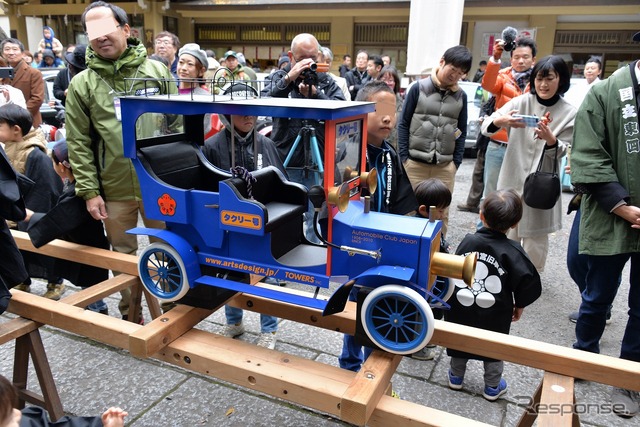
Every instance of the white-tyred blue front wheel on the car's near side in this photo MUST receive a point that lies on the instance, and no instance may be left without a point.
(397, 319)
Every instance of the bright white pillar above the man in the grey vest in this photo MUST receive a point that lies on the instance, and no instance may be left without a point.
(434, 26)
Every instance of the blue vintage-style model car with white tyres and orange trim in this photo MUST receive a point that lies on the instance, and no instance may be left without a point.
(221, 228)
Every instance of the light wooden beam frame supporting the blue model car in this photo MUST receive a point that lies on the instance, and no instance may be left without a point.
(357, 398)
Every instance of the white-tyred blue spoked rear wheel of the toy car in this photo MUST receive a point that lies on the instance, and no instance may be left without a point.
(162, 272)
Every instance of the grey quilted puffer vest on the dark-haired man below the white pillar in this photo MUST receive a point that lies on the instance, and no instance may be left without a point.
(432, 132)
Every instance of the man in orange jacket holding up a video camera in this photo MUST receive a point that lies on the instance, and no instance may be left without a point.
(505, 84)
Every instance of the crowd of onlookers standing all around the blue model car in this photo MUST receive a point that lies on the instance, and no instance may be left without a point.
(416, 142)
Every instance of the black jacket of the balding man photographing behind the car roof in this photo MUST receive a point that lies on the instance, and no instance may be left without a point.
(285, 130)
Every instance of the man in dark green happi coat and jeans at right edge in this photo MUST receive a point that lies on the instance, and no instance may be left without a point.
(605, 163)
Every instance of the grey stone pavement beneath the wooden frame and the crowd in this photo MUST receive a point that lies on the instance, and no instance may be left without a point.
(91, 376)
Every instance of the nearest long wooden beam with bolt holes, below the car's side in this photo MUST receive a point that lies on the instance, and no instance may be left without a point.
(291, 378)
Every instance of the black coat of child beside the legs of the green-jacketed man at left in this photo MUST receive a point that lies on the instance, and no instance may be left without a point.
(69, 220)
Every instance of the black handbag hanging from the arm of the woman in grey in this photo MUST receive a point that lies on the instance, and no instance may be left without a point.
(542, 189)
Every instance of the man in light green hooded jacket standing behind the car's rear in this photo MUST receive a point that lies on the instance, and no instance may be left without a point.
(106, 179)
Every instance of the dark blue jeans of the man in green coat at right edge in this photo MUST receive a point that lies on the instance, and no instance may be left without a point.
(599, 294)
